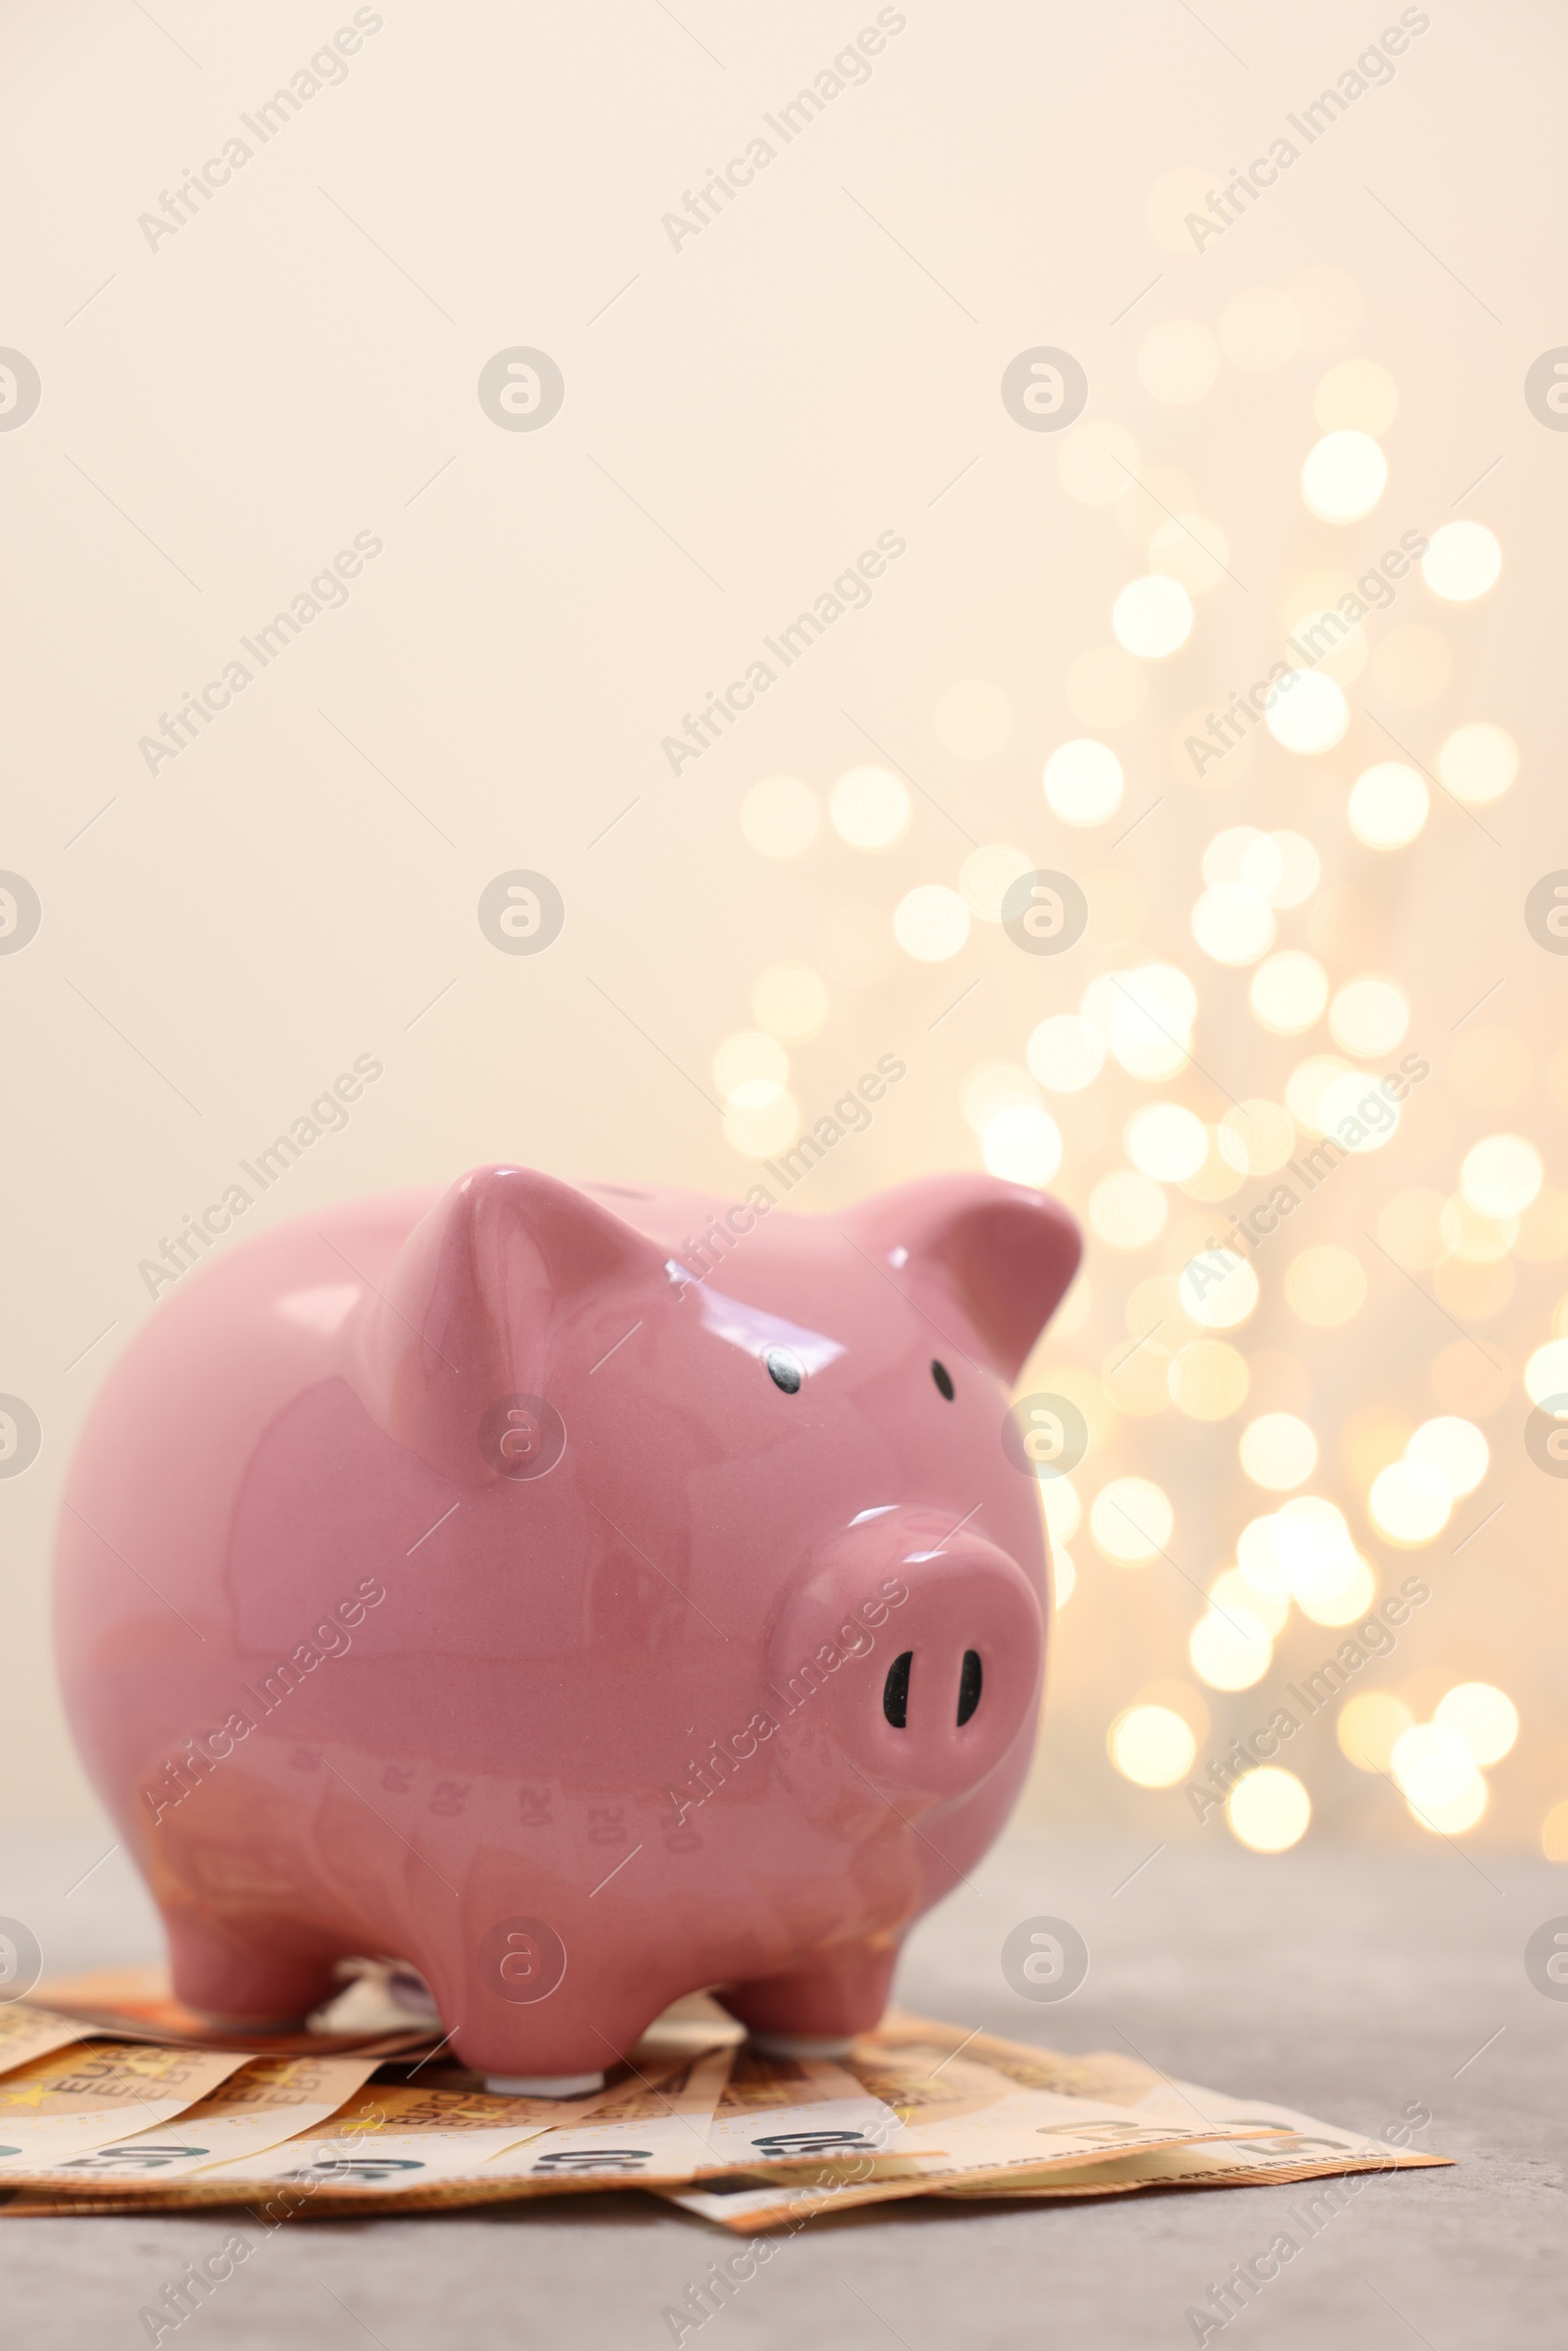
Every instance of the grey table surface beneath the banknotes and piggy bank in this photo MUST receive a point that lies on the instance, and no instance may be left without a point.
(1343, 1983)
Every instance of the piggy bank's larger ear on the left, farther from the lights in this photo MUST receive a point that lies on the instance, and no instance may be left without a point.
(464, 1318)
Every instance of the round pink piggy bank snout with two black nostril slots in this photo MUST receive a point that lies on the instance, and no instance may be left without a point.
(939, 1663)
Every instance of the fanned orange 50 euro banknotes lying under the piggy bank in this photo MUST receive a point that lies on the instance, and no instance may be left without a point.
(119, 2101)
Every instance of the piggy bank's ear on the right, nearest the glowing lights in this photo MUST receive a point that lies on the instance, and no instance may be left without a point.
(989, 1250)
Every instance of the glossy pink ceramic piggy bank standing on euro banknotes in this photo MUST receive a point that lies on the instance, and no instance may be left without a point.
(579, 1595)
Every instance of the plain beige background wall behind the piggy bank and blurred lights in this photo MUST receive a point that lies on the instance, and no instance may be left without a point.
(742, 417)
